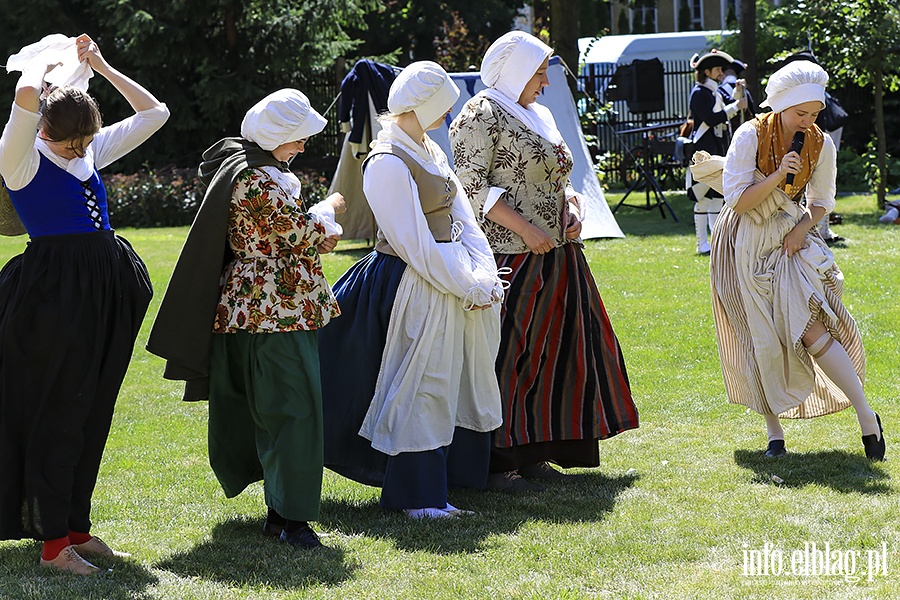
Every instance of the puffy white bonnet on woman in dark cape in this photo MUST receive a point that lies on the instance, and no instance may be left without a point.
(281, 117)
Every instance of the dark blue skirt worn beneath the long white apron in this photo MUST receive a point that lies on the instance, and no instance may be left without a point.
(350, 351)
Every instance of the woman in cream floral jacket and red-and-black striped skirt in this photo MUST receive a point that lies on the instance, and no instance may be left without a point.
(561, 372)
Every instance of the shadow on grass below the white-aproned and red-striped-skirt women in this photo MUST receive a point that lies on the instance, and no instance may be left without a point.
(589, 499)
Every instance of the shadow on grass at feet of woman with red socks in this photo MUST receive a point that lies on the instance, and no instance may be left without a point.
(22, 577)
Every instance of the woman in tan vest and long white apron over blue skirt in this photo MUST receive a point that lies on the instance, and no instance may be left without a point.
(422, 311)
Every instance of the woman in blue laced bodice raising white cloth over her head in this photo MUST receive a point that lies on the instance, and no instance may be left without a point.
(72, 303)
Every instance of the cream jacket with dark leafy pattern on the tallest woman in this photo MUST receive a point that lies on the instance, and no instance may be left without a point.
(492, 148)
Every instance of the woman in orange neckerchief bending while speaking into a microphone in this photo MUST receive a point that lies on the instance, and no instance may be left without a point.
(787, 344)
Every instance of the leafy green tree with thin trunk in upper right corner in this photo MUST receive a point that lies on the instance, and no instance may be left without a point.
(857, 42)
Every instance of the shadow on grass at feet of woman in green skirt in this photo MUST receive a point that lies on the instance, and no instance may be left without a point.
(239, 554)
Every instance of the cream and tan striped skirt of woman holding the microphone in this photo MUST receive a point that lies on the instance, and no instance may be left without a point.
(763, 304)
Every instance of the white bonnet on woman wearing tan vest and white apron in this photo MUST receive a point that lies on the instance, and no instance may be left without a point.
(425, 88)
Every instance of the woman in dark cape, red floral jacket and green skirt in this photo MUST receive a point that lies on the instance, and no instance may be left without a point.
(243, 334)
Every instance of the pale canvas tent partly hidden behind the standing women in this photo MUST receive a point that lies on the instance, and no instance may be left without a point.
(598, 219)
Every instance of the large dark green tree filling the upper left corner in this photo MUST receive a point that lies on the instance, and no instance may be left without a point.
(209, 60)
